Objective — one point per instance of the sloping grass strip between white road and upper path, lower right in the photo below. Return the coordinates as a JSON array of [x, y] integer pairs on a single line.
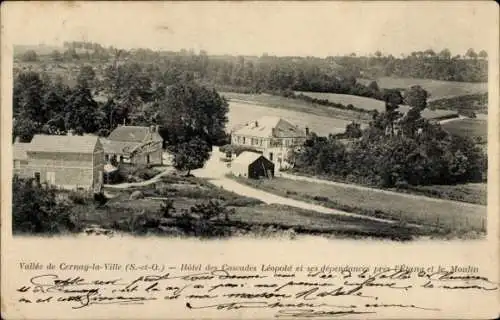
[[454, 216]]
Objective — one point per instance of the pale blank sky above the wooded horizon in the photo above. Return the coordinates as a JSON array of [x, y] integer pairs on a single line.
[[305, 28]]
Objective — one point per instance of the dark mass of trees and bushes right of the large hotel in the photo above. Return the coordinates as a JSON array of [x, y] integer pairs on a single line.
[[396, 150]]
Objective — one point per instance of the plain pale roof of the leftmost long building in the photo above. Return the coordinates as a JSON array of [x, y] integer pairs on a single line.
[[68, 144]]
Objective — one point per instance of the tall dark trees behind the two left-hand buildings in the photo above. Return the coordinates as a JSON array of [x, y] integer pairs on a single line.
[[191, 117]]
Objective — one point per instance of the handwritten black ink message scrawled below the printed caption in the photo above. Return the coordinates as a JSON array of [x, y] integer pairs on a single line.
[[285, 294]]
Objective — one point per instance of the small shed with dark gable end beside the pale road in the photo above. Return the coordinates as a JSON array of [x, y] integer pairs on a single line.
[[252, 165]]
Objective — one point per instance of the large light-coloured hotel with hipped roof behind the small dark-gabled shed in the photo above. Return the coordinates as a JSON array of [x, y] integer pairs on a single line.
[[273, 136]]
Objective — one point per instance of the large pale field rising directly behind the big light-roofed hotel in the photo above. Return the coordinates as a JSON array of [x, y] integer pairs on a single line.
[[320, 119]]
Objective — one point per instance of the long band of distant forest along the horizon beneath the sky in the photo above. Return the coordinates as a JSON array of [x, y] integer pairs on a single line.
[[271, 73]]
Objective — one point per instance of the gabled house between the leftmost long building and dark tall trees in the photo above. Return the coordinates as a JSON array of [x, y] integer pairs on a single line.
[[133, 144]]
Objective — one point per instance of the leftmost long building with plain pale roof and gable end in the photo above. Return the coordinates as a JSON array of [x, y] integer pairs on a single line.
[[67, 162]]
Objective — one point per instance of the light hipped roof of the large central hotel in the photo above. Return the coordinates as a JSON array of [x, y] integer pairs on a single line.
[[268, 126]]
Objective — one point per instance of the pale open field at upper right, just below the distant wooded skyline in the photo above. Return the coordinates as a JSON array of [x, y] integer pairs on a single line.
[[437, 89]]
